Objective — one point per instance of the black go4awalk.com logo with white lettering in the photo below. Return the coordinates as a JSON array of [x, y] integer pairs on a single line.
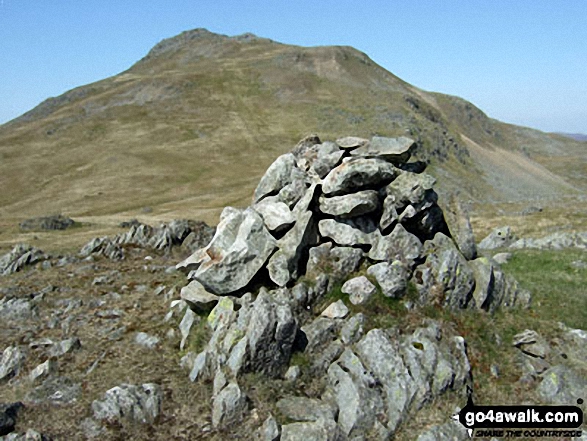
[[521, 421]]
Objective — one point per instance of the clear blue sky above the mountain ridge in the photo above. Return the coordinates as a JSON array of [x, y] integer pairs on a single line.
[[520, 61]]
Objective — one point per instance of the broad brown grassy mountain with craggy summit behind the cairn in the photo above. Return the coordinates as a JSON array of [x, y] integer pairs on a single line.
[[191, 127]]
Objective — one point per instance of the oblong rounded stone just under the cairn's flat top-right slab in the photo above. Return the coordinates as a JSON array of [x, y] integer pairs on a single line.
[[358, 174]]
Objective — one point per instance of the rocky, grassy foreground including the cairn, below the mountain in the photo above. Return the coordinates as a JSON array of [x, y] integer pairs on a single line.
[[345, 303]]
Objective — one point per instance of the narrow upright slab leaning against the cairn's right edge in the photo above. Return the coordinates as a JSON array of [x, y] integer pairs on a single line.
[[457, 219]]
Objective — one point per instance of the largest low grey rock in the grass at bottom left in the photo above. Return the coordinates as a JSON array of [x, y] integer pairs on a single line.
[[136, 404]]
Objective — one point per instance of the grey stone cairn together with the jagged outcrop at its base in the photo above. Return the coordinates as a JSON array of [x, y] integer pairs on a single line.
[[320, 214]]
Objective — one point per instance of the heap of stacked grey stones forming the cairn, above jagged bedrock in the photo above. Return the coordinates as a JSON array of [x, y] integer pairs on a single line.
[[354, 200]]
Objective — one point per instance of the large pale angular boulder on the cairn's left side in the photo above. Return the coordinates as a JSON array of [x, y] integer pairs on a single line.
[[239, 249]]
